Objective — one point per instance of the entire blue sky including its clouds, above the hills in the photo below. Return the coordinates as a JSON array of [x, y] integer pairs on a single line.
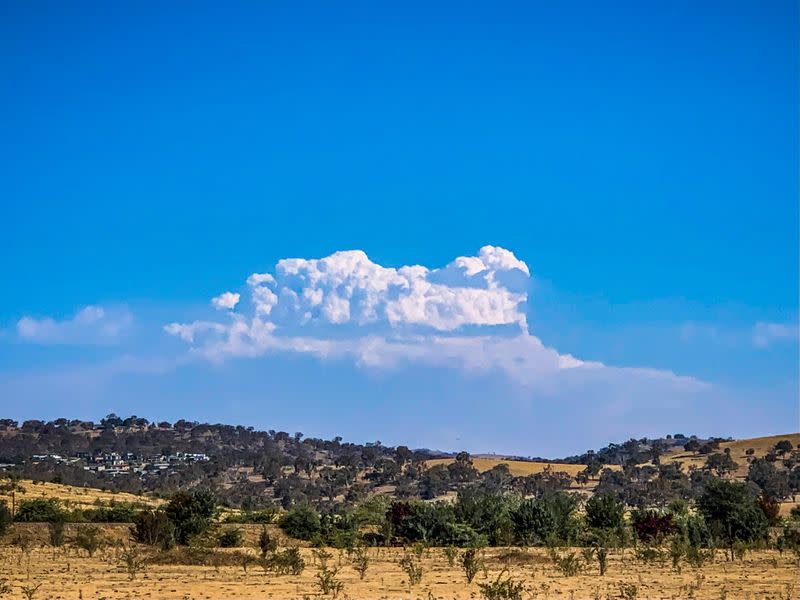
[[639, 159]]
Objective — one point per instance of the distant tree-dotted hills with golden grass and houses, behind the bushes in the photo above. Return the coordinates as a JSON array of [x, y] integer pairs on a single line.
[[250, 469]]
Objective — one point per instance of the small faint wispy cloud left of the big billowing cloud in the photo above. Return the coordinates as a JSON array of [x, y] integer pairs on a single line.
[[92, 325]]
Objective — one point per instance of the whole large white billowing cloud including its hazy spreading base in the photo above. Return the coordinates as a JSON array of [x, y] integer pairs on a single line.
[[469, 314]]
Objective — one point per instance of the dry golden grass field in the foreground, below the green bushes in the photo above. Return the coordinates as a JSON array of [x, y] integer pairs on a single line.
[[68, 574]]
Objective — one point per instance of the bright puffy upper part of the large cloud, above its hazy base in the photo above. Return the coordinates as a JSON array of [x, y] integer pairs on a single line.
[[348, 288]]
